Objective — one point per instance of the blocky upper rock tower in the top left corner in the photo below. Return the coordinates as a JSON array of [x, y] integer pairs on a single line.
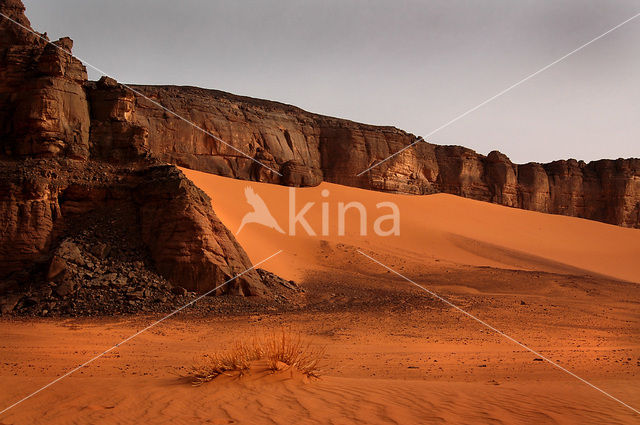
[[43, 105]]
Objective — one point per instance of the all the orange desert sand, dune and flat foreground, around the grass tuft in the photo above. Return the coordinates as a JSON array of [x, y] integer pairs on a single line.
[[566, 287]]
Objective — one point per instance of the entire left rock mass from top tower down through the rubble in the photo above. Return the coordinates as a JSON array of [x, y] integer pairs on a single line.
[[68, 188]]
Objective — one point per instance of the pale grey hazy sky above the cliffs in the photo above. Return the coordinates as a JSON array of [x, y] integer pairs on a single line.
[[411, 64]]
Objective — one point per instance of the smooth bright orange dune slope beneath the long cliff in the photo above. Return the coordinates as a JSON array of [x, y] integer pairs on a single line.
[[437, 229]]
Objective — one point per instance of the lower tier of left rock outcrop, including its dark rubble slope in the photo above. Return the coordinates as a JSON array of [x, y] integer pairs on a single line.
[[94, 238]]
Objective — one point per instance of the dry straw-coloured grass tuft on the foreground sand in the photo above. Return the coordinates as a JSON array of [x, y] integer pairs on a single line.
[[281, 351]]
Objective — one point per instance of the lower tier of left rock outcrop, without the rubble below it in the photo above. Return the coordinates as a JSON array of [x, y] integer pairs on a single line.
[[44, 201]]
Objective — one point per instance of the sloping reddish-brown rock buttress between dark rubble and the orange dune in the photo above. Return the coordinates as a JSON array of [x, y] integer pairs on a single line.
[[188, 243]]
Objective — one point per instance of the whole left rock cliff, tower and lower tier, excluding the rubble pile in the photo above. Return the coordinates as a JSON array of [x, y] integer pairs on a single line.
[[67, 157]]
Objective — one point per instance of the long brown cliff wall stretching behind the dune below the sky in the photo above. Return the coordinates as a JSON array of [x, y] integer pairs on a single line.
[[307, 148]]
